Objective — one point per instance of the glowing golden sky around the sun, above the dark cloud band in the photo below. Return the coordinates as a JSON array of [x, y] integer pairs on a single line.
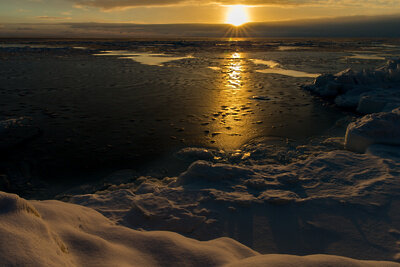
[[22, 15]]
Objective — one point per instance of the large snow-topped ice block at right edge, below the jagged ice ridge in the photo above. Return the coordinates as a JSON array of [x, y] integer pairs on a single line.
[[378, 128]]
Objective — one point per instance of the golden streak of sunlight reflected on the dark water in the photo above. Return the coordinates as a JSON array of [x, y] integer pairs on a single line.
[[234, 112]]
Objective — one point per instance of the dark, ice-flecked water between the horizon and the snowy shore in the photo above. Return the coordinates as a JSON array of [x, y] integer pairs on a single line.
[[98, 114]]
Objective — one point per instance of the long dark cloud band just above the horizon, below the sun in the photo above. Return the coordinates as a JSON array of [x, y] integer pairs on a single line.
[[357, 26]]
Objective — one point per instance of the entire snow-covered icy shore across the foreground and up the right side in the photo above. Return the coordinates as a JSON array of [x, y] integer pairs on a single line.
[[340, 196]]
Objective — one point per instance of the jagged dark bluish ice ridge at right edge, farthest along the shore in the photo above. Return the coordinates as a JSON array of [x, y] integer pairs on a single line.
[[368, 91]]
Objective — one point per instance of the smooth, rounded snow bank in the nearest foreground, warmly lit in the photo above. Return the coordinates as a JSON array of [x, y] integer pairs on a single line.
[[53, 233]]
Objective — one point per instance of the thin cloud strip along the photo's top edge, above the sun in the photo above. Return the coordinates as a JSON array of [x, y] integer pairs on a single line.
[[123, 4]]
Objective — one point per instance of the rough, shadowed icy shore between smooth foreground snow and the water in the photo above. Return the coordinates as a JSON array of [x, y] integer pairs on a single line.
[[273, 208]]
